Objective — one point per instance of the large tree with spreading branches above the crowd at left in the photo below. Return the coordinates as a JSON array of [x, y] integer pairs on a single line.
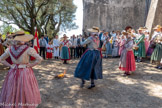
[[46, 15]]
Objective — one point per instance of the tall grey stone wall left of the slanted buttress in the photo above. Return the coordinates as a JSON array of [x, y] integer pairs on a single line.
[[114, 14]]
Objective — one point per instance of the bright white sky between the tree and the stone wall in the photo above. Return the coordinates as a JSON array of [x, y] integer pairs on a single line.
[[79, 20]]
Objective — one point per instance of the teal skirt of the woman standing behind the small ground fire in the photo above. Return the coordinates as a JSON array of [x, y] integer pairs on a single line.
[[65, 53]]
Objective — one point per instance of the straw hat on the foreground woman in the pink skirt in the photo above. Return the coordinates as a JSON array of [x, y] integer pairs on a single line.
[[21, 36]]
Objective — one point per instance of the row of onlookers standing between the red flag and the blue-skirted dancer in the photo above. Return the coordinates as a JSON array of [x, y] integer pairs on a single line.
[[63, 48]]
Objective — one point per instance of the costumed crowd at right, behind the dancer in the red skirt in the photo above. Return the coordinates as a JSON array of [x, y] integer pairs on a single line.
[[144, 45]]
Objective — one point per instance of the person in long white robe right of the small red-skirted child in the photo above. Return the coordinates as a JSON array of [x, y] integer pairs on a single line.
[[56, 44]]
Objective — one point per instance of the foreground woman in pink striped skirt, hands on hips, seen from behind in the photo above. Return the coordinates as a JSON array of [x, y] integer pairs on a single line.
[[20, 86]]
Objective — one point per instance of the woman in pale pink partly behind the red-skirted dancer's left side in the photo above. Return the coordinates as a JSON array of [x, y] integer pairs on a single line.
[[122, 42]]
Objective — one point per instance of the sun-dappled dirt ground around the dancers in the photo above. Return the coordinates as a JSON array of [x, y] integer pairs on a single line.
[[143, 89]]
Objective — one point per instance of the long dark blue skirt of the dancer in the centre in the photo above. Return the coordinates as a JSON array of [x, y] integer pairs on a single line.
[[90, 66]]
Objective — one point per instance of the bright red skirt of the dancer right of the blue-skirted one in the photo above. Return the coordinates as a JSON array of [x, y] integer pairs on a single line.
[[130, 62]]
